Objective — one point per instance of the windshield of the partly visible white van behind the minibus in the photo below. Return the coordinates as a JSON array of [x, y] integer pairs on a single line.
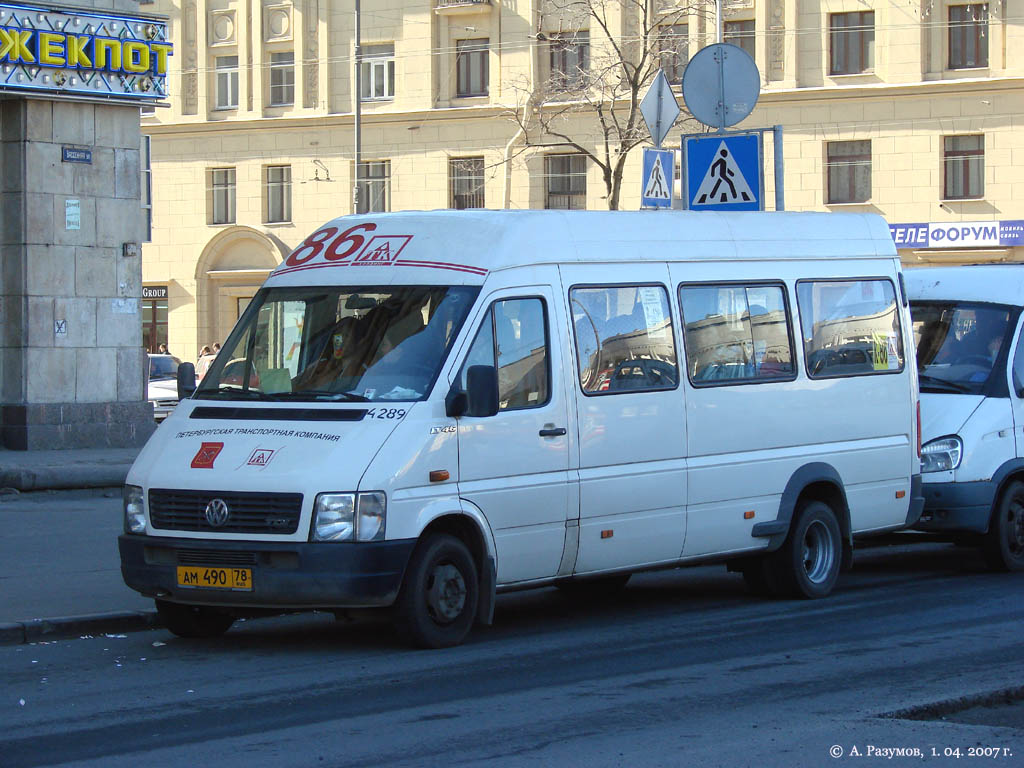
[[960, 345]]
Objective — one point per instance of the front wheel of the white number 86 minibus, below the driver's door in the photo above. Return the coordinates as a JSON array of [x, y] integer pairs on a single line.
[[437, 607]]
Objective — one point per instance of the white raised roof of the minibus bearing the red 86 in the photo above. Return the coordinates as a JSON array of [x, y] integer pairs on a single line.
[[462, 247]]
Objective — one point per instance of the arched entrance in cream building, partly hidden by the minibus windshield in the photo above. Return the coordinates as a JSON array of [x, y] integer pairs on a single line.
[[232, 269]]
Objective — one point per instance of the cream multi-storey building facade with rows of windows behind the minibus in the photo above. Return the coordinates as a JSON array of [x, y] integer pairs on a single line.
[[914, 111]]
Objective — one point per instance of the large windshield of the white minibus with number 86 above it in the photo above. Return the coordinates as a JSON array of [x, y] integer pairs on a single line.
[[371, 344]]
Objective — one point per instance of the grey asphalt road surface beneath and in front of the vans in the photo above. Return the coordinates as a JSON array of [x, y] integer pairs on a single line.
[[682, 668]]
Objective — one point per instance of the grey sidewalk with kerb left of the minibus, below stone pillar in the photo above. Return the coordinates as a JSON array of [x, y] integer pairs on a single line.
[[60, 571]]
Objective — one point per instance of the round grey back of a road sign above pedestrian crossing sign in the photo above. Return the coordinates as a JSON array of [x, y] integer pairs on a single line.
[[721, 86]]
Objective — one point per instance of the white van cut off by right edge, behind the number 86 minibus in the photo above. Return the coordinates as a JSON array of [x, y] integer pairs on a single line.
[[971, 360]]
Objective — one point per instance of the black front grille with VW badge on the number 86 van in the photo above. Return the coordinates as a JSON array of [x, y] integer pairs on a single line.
[[249, 513]]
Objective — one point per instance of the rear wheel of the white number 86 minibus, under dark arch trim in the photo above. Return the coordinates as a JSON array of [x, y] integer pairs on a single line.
[[808, 564]]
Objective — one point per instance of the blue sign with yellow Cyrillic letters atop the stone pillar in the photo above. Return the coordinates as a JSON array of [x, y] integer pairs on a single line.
[[83, 54]]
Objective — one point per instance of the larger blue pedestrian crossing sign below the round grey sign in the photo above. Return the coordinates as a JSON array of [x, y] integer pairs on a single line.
[[723, 173]]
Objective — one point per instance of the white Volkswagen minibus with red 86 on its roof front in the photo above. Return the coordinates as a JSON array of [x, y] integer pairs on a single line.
[[422, 410]]
